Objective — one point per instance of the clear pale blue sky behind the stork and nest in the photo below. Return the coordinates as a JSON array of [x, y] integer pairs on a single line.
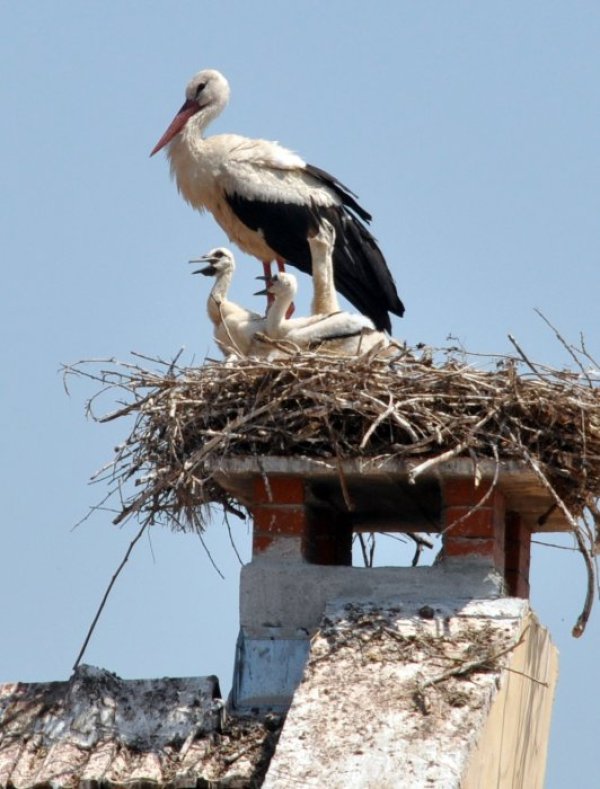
[[469, 130]]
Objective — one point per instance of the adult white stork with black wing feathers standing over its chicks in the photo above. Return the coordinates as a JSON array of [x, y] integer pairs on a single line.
[[269, 201]]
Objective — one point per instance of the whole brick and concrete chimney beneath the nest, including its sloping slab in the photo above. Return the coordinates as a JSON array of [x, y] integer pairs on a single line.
[[300, 593]]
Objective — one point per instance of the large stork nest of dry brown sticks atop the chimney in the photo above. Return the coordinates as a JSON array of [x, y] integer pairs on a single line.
[[422, 405]]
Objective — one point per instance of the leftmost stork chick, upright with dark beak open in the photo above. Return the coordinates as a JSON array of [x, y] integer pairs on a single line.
[[234, 326]]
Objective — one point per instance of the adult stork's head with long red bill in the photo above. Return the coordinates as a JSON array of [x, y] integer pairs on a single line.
[[206, 95]]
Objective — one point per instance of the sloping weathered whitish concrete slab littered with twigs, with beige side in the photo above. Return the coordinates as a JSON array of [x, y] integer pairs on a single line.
[[413, 702]]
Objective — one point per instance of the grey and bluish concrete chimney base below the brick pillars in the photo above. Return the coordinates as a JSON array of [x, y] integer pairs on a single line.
[[282, 606]]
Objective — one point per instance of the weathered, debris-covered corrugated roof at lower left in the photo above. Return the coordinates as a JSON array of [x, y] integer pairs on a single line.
[[97, 729]]
